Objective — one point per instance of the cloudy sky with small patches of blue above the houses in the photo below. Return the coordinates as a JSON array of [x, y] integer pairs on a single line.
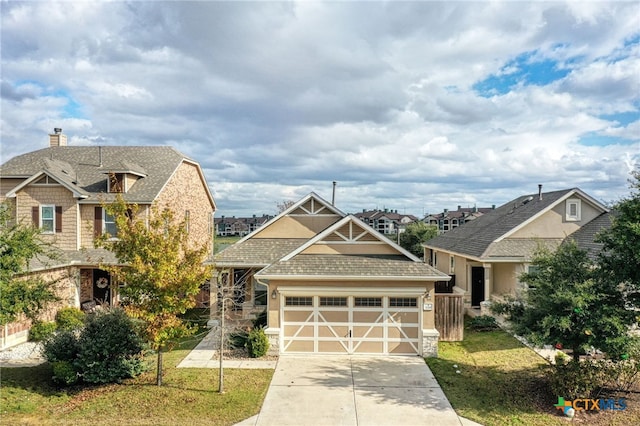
[[414, 106]]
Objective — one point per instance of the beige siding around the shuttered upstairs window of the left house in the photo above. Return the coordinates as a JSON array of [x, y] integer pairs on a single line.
[[57, 195]]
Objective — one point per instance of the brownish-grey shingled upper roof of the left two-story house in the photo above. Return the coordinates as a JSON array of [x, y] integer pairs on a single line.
[[84, 169]]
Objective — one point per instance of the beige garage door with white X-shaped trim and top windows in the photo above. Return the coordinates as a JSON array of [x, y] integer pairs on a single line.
[[329, 324]]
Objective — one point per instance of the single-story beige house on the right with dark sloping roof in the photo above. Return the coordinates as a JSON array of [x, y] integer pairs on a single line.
[[486, 256]]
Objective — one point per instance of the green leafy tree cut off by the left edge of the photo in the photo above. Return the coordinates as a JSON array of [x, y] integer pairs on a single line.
[[19, 293]]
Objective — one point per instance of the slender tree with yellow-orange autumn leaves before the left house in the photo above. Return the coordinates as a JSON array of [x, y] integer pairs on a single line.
[[160, 270]]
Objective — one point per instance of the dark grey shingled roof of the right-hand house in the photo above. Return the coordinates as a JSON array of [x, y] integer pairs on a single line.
[[480, 238]]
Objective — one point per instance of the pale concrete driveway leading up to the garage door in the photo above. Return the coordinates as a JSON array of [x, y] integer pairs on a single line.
[[344, 390]]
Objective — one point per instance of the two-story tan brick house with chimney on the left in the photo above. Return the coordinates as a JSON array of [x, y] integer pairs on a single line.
[[61, 189]]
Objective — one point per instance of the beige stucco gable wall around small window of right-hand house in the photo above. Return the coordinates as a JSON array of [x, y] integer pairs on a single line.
[[553, 224]]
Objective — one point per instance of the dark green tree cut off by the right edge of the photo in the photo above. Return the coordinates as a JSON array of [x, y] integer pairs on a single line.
[[620, 258]]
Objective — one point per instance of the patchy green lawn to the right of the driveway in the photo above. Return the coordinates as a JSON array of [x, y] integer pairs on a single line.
[[502, 382]]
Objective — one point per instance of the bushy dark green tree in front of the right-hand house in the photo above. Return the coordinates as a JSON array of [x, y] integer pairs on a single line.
[[567, 306]]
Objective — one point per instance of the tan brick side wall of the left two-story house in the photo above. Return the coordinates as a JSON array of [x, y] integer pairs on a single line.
[[184, 192]]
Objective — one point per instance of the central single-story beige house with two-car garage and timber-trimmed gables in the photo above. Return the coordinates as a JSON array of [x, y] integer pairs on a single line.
[[331, 284]]
